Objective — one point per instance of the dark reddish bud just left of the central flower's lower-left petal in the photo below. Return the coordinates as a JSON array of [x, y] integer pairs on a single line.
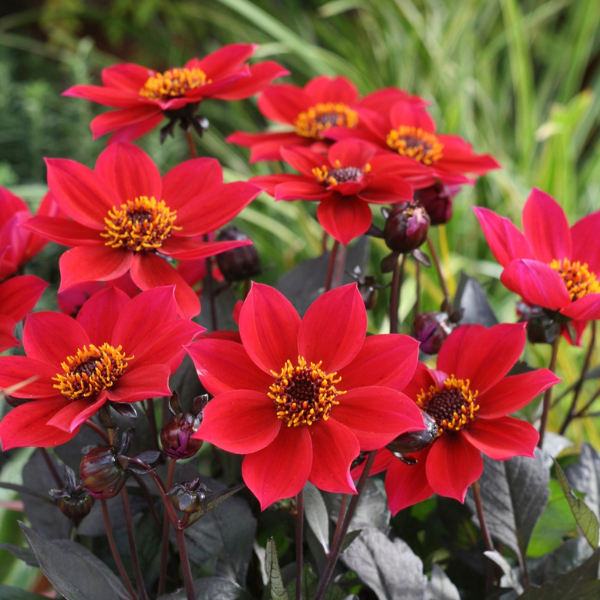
[[176, 435]]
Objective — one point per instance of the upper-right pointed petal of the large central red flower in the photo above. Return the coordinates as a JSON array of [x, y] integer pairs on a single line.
[[333, 329]]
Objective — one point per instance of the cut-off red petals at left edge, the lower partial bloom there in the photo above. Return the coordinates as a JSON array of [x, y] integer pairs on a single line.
[[18, 296]]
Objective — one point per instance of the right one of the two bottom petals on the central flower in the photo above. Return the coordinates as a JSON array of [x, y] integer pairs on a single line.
[[334, 449]]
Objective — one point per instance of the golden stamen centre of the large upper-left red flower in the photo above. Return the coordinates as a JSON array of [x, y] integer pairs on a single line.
[[140, 225]]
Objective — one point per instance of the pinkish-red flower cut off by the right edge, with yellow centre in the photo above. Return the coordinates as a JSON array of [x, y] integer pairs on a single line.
[[549, 265]]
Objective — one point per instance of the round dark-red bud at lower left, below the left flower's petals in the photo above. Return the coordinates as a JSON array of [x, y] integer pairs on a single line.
[[102, 473]]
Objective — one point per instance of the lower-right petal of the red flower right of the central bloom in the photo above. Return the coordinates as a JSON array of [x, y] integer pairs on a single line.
[[503, 438]]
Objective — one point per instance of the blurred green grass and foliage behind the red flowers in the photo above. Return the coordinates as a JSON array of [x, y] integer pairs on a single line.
[[518, 79]]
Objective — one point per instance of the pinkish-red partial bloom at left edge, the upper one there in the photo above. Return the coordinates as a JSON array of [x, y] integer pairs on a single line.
[[17, 245]]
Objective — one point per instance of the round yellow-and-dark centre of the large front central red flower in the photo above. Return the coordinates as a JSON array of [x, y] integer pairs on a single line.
[[304, 393]]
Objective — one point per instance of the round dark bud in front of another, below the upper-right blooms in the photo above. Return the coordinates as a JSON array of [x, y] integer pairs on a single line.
[[406, 227]]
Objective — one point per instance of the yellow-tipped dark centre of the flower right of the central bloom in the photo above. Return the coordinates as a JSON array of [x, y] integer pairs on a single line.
[[452, 407]]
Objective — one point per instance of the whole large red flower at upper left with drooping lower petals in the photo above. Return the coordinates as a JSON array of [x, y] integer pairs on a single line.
[[124, 217]]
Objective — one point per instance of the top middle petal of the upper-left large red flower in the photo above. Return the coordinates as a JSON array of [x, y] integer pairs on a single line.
[[130, 172]]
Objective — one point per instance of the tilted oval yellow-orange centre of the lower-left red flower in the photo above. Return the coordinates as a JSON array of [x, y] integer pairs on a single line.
[[90, 371]]
